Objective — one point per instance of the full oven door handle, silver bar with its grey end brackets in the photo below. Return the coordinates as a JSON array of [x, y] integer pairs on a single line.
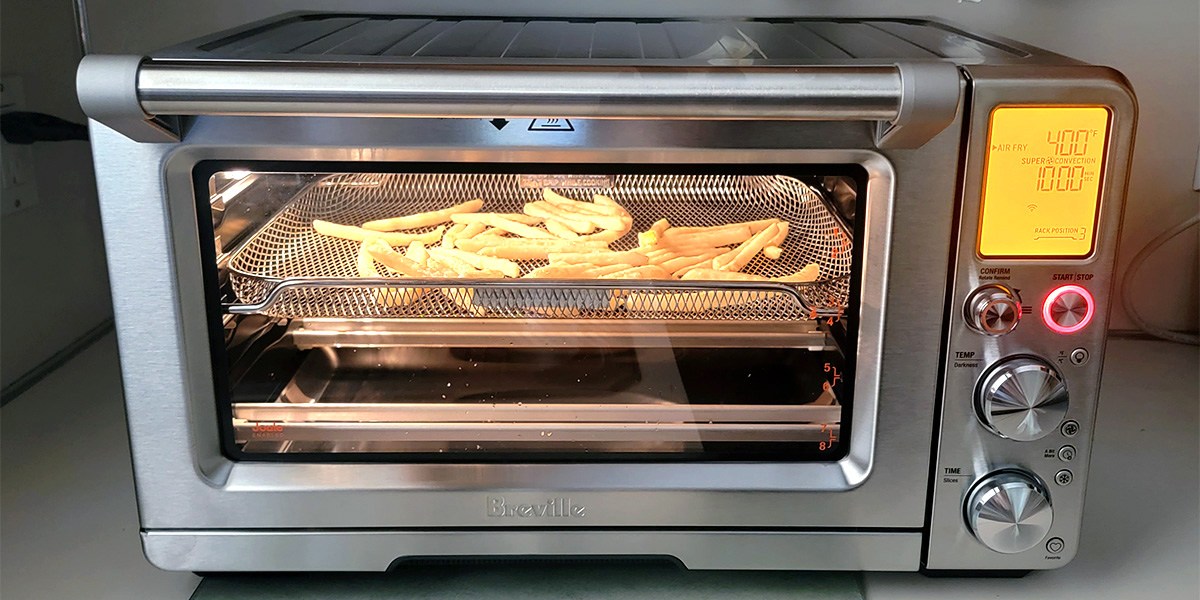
[[911, 101]]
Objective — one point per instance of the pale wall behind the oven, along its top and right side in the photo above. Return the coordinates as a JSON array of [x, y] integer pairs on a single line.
[[1154, 43]]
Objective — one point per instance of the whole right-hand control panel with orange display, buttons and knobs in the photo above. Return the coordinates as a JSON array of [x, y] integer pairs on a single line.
[[1025, 329]]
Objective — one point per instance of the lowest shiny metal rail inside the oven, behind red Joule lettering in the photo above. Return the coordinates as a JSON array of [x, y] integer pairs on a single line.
[[416, 423]]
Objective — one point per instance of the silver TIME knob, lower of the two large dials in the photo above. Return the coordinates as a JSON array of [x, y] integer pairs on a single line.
[[1010, 512]]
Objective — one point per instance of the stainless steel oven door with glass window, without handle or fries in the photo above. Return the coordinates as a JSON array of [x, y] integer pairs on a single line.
[[280, 397]]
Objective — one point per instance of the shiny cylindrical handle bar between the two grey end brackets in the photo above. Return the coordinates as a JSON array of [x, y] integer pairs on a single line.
[[178, 88]]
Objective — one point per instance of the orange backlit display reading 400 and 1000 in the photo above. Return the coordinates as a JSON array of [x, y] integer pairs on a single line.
[[1042, 182]]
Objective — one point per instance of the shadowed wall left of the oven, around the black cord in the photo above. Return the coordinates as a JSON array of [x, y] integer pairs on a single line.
[[55, 284]]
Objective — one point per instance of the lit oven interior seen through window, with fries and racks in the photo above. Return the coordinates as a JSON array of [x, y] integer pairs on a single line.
[[328, 347]]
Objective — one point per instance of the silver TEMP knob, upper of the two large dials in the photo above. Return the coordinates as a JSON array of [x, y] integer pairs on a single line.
[[1022, 399]]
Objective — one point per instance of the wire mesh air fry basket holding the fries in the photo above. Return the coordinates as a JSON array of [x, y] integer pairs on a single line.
[[289, 271]]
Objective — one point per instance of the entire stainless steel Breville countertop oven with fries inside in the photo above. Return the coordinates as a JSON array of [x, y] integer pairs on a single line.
[[745, 295]]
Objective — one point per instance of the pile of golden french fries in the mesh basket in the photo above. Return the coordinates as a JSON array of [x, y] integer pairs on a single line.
[[571, 237]]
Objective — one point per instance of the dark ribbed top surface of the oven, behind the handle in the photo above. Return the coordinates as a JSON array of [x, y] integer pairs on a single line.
[[641, 43]]
